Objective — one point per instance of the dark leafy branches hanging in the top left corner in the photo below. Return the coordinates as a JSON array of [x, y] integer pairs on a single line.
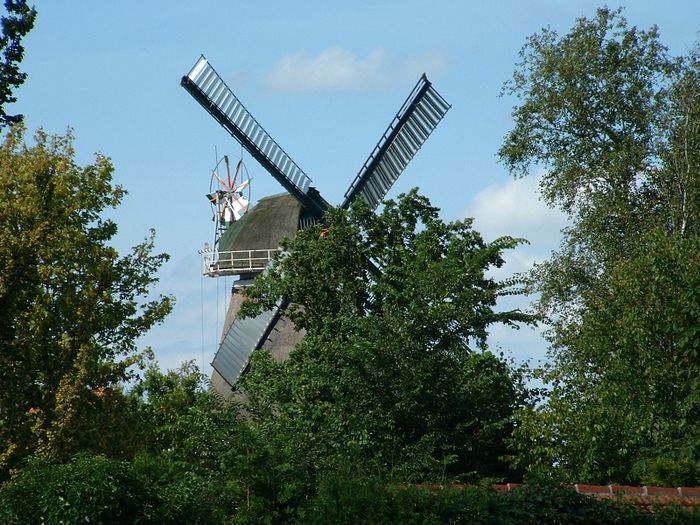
[[14, 25]]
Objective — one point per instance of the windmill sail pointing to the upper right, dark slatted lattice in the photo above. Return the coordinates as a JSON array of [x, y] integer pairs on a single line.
[[420, 114]]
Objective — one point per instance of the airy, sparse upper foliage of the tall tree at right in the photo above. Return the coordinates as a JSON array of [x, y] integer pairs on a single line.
[[613, 120]]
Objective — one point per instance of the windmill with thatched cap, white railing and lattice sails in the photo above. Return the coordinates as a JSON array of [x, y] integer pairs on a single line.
[[245, 248]]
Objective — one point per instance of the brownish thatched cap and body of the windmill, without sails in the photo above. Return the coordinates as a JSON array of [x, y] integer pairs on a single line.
[[262, 228]]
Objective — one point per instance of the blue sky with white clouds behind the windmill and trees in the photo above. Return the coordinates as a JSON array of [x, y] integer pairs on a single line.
[[325, 79]]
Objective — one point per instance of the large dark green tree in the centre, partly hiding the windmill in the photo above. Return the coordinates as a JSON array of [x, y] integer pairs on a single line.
[[391, 376]]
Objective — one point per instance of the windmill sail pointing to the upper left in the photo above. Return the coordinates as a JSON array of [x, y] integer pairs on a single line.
[[209, 89]]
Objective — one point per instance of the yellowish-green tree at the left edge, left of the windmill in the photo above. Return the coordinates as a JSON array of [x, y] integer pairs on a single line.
[[71, 308]]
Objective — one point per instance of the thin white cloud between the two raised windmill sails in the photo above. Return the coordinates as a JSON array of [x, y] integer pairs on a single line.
[[339, 68]]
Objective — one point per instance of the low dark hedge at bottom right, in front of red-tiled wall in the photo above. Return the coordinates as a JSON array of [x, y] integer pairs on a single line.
[[351, 500]]
